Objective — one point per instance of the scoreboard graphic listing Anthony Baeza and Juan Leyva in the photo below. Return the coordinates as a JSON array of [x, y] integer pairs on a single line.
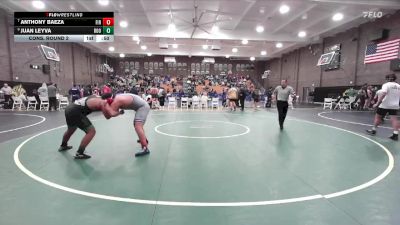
[[63, 26]]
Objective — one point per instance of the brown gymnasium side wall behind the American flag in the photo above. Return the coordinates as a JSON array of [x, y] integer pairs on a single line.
[[299, 66]]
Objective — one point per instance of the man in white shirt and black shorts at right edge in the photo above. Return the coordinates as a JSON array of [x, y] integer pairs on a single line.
[[388, 103]]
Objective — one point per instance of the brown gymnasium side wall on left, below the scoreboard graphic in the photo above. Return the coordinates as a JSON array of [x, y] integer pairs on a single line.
[[77, 64]]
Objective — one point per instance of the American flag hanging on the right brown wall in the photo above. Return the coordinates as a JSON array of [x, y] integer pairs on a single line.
[[382, 52]]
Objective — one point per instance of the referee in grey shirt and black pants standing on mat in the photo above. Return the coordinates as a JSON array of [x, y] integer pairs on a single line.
[[282, 93]]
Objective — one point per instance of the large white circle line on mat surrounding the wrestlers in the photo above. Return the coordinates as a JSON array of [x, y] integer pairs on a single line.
[[210, 204]]
